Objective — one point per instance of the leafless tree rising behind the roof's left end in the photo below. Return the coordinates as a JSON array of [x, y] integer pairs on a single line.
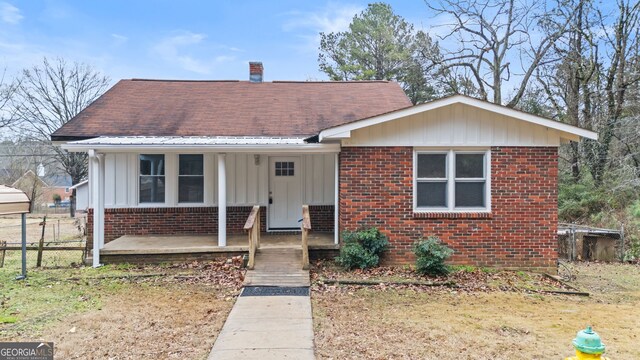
[[51, 94]]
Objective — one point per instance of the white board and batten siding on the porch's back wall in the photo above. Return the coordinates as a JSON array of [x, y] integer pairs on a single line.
[[247, 182]]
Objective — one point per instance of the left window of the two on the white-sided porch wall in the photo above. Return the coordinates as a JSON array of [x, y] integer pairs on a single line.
[[151, 178]]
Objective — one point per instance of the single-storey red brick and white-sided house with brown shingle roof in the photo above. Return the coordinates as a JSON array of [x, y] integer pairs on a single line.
[[171, 158]]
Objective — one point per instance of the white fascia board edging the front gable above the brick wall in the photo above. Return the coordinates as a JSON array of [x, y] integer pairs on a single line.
[[569, 131]]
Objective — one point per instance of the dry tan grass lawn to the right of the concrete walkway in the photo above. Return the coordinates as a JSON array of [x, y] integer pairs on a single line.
[[445, 324]]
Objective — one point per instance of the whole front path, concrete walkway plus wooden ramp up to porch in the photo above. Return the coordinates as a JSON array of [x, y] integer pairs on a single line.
[[275, 326]]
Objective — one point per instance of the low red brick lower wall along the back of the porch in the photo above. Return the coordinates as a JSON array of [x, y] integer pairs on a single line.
[[189, 220]]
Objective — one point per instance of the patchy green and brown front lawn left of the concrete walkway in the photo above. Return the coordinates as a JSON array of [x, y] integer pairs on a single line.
[[121, 312]]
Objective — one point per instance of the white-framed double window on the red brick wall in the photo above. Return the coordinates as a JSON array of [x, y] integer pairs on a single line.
[[451, 181]]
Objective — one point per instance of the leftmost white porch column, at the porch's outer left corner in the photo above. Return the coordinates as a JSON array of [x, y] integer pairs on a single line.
[[97, 202]]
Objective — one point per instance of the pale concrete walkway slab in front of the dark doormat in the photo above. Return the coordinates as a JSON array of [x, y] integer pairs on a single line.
[[267, 327]]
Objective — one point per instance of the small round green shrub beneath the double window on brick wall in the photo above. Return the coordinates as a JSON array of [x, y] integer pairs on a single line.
[[431, 254]]
